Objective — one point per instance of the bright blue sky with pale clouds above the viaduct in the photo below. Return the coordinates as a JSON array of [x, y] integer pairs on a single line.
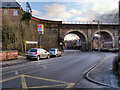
[[79, 10]]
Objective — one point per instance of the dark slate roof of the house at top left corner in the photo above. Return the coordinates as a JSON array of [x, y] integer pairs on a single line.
[[11, 5]]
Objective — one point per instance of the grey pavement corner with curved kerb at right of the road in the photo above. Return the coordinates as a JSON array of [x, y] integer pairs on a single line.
[[102, 74]]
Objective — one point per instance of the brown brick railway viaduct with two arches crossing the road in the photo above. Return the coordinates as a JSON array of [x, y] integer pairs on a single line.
[[109, 34]]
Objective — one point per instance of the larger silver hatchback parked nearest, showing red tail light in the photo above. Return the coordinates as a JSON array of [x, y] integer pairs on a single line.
[[37, 53]]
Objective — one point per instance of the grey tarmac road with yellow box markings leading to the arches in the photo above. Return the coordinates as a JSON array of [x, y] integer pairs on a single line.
[[60, 72]]
